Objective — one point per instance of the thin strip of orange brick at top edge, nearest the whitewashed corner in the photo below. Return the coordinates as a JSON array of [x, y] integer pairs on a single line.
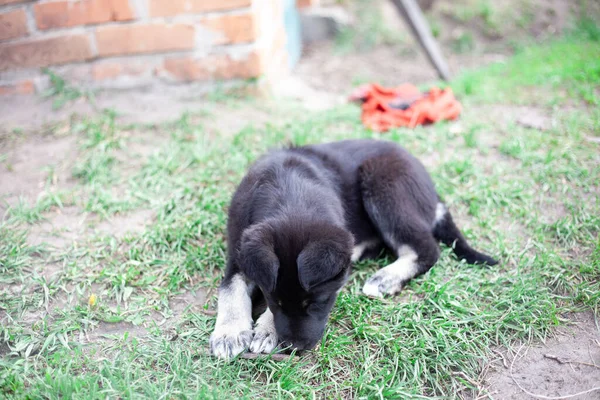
[[167, 8]]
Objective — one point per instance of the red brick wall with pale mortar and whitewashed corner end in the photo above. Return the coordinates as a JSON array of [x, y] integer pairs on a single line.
[[124, 43]]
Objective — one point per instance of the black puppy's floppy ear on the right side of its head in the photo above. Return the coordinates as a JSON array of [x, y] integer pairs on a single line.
[[324, 260]]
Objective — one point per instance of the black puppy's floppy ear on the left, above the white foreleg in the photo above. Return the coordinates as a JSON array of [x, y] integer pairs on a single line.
[[257, 256]]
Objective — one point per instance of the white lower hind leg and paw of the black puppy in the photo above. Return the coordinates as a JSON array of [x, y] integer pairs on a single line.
[[391, 279]]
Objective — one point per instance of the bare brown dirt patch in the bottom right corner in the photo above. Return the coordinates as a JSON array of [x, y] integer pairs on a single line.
[[567, 364]]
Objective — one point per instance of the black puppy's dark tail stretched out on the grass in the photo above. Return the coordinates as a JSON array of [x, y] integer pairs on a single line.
[[448, 233]]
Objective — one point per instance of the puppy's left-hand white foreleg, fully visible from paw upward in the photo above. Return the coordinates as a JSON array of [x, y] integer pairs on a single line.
[[233, 329]]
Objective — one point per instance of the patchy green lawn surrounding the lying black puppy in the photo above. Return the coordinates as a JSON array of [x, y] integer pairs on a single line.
[[531, 199]]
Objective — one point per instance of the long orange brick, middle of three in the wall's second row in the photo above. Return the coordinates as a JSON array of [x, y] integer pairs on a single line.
[[148, 38]]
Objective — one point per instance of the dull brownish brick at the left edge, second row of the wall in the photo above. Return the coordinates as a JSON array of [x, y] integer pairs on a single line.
[[41, 53]]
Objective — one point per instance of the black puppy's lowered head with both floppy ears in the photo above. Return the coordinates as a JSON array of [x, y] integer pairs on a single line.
[[300, 268]]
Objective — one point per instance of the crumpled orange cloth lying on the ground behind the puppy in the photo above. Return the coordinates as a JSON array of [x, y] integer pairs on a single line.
[[381, 106]]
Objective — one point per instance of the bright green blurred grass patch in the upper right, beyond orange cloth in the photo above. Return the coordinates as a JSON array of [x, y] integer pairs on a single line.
[[547, 74]]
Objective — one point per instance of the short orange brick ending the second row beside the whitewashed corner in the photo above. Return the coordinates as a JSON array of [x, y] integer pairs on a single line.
[[231, 28]]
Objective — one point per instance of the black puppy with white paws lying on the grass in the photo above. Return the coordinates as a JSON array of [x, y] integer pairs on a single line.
[[298, 220]]
